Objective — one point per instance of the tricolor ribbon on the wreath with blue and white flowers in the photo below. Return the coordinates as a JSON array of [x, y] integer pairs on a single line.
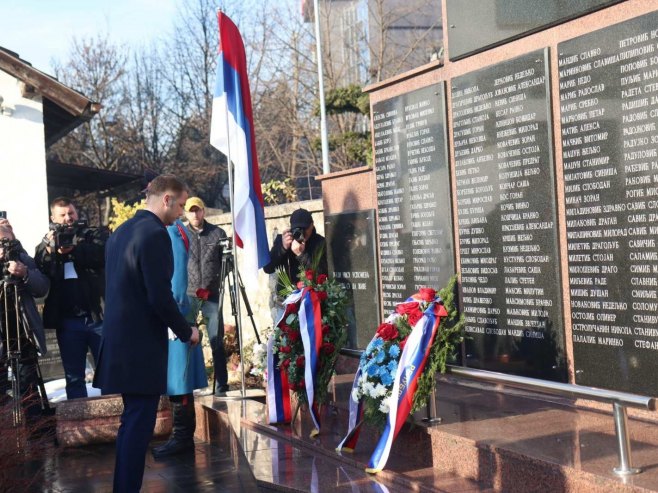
[[410, 367]]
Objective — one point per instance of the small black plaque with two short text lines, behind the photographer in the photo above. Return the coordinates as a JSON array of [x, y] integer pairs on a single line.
[[352, 256]]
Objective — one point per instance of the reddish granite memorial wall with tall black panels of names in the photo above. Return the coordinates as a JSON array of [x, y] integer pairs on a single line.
[[557, 252]]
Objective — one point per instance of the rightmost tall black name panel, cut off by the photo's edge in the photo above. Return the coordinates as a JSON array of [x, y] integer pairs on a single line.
[[609, 116]]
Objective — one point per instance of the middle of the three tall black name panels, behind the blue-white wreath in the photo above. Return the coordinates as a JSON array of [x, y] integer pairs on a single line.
[[507, 218]]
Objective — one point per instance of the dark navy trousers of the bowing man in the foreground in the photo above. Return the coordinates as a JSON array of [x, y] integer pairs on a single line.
[[135, 433]]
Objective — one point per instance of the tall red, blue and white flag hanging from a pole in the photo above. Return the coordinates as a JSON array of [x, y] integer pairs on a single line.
[[232, 133]]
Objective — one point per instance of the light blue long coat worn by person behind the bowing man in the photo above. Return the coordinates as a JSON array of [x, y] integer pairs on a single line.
[[186, 370]]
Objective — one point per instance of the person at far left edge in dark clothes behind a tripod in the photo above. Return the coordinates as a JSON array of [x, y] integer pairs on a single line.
[[20, 275]]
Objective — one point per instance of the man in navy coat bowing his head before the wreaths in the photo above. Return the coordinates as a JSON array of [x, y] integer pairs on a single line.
[[138, 309]]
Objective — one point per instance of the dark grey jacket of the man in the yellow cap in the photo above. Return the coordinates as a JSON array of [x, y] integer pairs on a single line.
[[205, 260]]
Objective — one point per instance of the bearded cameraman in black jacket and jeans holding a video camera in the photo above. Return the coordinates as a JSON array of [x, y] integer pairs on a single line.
[[74, 306]]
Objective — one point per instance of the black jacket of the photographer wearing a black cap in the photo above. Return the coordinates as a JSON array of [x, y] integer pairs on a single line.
[[291, 263]]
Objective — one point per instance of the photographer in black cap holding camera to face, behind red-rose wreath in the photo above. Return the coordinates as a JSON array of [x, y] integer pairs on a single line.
[[296, 248]]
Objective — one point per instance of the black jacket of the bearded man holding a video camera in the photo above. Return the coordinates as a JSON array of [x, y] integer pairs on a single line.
[[88, 257]]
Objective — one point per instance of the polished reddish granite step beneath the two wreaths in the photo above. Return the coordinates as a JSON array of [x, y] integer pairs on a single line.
[[284, 458]]
